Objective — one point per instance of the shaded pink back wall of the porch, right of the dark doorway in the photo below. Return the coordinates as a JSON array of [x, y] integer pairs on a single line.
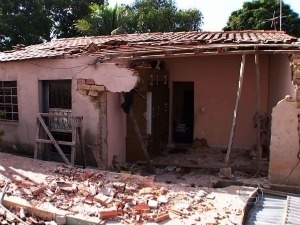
[[215, 87]]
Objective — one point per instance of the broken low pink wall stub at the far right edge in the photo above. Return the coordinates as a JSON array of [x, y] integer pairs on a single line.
[[284, 147]]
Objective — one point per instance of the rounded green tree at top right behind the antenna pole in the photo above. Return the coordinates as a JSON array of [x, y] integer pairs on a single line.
[[264, 15]]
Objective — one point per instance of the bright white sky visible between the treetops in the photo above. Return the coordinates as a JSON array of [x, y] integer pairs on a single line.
[[215, 12]]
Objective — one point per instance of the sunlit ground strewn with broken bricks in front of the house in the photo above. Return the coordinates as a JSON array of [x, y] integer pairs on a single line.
[[174, 195]]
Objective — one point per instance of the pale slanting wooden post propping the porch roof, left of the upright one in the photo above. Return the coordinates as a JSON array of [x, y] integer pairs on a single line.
[[242, 69]]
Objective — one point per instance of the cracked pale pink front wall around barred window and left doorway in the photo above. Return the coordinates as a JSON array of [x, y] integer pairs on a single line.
[[29, 73]]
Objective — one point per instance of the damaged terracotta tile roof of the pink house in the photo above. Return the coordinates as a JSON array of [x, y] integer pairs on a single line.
[[142, 44]]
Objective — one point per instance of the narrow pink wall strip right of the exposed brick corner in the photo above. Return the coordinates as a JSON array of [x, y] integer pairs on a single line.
[[116, 127]]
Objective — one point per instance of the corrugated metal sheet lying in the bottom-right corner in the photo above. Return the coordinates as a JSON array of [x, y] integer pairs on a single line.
[[273, 210]]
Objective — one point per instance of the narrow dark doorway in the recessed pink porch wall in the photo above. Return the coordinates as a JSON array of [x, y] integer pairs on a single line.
[[183, 112]]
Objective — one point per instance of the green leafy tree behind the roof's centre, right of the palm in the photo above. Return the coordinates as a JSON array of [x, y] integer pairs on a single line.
[[163, 16]]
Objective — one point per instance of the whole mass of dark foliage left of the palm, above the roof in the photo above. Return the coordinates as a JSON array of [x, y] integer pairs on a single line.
[[35, 21]]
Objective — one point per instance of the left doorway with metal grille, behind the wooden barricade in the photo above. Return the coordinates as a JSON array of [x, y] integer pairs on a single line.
[[56, 99]]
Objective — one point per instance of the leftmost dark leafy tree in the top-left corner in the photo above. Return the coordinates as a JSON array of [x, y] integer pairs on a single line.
[[23, 22]]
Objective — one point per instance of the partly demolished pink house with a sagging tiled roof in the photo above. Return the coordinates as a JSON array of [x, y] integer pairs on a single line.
[[70, 99]]
